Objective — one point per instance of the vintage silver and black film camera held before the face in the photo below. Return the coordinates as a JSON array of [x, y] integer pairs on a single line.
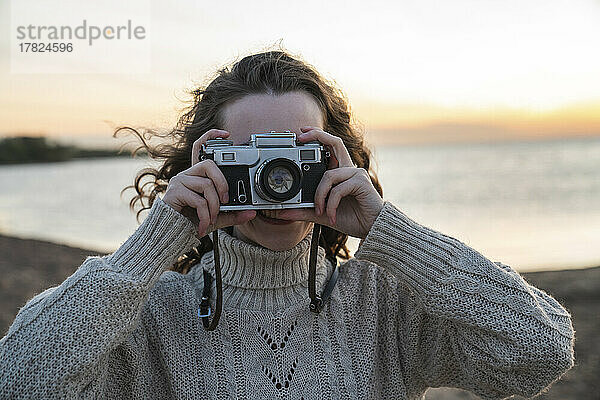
[[272, 171]]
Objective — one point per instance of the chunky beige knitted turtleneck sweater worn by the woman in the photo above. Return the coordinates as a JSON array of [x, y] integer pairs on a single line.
[[414, 309]]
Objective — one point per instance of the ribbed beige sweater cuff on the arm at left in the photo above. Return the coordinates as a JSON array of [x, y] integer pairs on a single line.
[[156, 244]]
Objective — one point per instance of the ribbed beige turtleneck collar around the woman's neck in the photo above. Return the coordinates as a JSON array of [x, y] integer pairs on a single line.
[[250, 272]]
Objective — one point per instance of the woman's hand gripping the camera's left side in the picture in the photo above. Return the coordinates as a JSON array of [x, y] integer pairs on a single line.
[[198, 192]]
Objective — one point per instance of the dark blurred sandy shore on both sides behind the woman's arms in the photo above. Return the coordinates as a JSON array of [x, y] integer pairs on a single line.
[[27, 267]]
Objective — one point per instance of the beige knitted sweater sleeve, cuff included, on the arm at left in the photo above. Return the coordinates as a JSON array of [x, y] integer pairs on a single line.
[[61, 340]]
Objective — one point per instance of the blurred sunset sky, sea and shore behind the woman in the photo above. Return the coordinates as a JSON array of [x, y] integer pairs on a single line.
[[483, 116]]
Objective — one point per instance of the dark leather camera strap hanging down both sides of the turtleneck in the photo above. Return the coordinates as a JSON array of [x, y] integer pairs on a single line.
[[316, 302]]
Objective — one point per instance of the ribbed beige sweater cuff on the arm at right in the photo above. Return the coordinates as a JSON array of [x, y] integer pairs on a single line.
[[420, 255]]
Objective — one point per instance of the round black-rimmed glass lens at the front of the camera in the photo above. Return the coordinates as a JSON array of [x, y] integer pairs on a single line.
[[278, 180]]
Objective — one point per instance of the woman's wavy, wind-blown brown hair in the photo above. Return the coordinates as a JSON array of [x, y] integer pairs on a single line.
[[273, 72]]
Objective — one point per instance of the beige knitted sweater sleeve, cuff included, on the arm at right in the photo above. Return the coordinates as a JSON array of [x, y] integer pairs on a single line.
[[471, 323]]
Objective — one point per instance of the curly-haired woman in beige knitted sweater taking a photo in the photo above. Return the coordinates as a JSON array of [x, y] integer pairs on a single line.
[[413, 309]]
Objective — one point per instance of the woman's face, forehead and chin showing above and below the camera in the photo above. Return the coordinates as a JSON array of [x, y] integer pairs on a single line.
[[260, 113]]
